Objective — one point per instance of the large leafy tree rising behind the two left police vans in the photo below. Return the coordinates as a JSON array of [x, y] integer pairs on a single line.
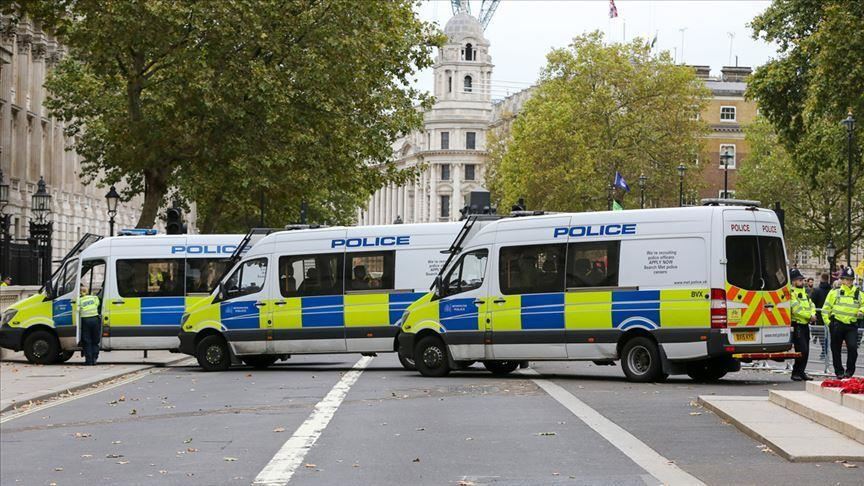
[[216, 102]]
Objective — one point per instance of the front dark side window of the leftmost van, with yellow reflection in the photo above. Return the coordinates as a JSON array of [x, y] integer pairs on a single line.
[[151, 278]]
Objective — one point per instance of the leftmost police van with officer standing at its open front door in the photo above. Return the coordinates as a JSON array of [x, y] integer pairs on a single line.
[[144, 283]]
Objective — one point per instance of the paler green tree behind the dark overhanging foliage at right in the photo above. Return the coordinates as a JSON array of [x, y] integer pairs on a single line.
[[815, 208]]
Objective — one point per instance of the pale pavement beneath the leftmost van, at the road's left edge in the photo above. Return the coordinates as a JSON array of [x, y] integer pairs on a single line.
[[22, 383]]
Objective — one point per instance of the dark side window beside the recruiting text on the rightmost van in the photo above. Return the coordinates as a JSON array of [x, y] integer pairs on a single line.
[[592, 264]]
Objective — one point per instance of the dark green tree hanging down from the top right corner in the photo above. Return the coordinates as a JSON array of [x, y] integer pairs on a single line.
[[804, 93]]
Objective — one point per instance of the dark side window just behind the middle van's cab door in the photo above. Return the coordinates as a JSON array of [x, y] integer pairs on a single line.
[[308, 275]]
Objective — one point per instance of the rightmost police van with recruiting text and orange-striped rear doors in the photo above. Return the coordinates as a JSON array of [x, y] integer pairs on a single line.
[[665, 291]]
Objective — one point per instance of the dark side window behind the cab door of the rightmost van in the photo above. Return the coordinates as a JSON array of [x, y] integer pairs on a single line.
[[532, 269]]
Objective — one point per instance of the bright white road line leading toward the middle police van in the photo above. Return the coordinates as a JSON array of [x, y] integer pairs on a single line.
[[283, 465]]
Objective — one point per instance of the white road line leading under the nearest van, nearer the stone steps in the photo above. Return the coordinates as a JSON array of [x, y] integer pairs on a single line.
[[647, 458]]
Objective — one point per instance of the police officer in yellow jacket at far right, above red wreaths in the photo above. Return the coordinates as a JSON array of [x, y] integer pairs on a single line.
[[843, 307]]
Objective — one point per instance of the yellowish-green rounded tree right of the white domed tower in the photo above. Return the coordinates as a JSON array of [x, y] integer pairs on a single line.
[[599, 109]]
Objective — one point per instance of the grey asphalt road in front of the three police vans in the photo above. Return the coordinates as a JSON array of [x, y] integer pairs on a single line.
[[555, 423]]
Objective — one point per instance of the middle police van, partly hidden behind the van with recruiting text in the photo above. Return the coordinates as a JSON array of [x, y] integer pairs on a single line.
[[324, 290]]
